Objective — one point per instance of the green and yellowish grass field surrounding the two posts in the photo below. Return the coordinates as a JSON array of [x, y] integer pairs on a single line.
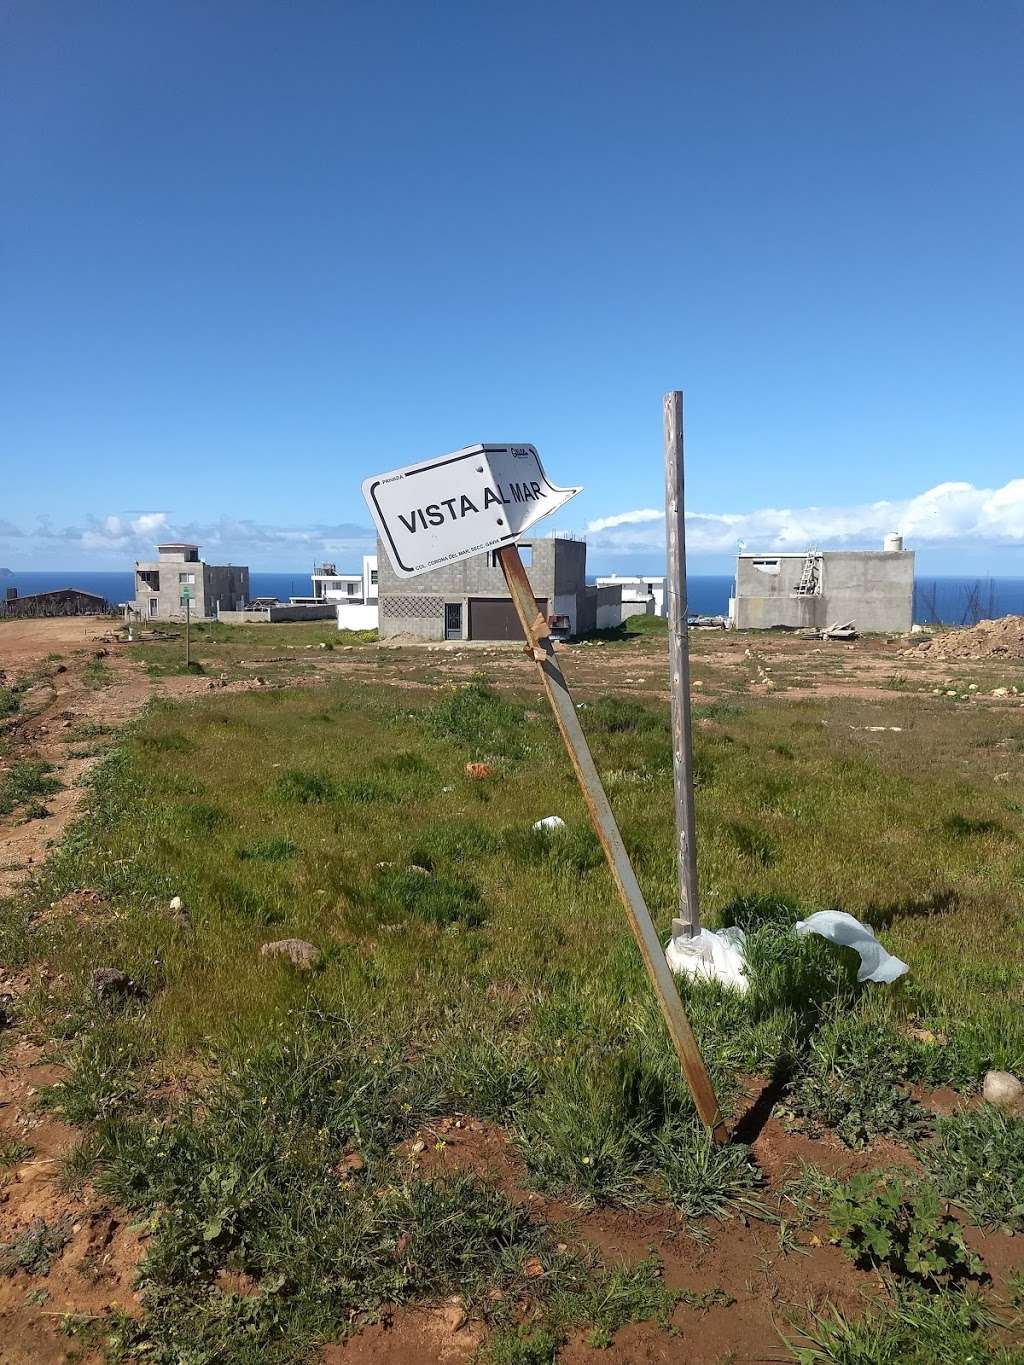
[[472, 966]]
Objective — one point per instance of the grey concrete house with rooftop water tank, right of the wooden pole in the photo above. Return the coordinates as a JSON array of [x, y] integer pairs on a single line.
[[874, 589]]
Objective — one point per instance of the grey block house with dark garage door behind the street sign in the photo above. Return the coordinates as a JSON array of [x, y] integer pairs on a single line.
[[469, 601]]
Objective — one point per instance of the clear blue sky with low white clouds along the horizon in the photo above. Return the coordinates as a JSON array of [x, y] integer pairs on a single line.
[[255, 252]]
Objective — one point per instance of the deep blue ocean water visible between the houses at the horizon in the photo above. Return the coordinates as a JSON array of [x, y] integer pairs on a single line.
[[950, 600]]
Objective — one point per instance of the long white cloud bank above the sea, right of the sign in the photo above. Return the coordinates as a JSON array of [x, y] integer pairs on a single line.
[[952, 515]]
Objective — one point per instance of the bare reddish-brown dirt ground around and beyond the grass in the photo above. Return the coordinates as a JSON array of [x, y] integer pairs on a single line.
[[95, 1269]]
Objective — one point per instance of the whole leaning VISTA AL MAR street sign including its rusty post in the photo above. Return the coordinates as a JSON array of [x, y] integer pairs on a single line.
[[484, 499]]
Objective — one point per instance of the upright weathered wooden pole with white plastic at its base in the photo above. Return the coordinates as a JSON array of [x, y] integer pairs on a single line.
[[679, 667]]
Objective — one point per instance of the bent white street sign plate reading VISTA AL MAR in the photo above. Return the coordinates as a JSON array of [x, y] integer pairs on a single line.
[[461, 504]]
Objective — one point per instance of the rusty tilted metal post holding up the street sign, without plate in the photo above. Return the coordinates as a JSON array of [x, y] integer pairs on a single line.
[[543, 650]]
